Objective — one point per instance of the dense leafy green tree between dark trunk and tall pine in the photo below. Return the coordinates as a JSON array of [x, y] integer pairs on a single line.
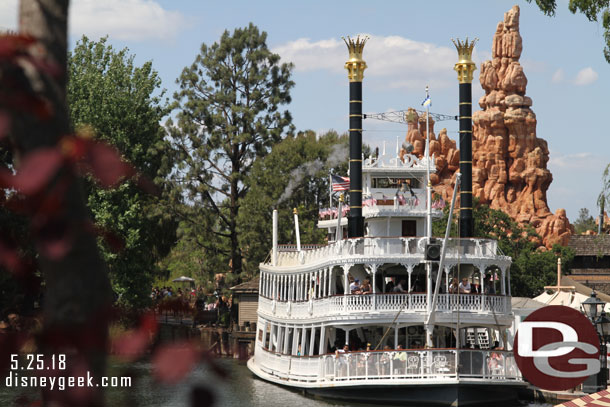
[[122, 104]]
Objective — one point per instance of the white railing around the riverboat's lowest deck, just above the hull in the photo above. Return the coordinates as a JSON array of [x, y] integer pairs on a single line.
[[396, 365]]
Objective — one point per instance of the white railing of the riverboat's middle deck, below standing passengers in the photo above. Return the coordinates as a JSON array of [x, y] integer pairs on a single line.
[[342, 305]]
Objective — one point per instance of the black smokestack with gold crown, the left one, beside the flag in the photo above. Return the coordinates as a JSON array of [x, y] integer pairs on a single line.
[[355, 68]]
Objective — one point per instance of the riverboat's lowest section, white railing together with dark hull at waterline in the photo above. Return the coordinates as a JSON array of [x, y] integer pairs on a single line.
[[431, 377]]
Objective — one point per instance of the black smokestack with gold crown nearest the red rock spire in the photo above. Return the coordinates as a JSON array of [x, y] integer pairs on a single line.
[[465, 68]]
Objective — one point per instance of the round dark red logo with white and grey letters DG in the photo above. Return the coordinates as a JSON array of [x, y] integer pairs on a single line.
[[557, 348]]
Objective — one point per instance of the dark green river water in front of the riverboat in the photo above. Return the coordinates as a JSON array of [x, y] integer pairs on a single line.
[[239, 389]]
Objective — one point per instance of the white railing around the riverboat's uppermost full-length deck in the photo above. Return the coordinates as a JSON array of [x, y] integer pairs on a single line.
[[383, 247]]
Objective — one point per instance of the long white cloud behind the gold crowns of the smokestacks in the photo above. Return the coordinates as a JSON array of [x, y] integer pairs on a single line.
[[393, 61]]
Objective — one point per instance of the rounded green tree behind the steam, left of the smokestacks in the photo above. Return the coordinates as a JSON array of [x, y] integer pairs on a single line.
[[293, 175]]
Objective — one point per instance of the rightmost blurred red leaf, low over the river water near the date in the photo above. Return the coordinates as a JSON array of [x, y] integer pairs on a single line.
[[171, 363]]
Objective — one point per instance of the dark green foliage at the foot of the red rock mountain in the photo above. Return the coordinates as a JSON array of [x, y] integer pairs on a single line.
[[533, 267]]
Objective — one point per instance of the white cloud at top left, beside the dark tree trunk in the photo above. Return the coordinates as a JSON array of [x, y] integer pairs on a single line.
[[130, 20]]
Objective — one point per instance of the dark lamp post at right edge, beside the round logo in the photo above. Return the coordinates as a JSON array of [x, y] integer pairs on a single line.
[[593, 308]]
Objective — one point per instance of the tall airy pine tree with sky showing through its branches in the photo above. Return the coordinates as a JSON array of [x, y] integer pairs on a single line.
[[229, 116]]
